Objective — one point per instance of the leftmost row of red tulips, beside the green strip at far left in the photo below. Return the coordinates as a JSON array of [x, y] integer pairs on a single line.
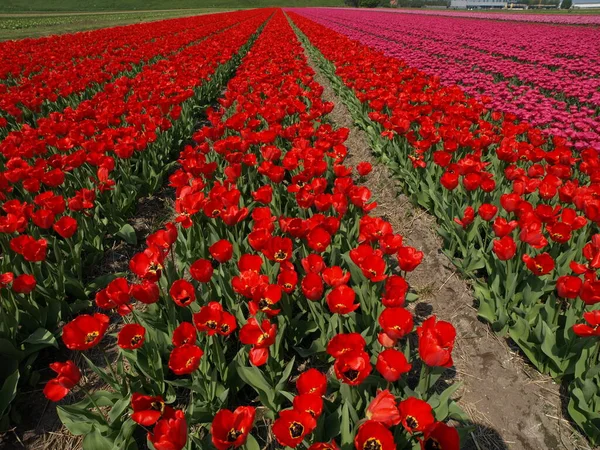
[[81, 70]]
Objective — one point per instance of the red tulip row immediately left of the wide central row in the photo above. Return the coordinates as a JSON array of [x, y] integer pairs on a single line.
[[74, 184]]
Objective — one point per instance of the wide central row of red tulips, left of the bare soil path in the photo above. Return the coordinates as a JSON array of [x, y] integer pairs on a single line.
[[271, 296]]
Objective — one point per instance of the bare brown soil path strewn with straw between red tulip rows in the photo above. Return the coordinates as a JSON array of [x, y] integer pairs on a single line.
[[510, 404]]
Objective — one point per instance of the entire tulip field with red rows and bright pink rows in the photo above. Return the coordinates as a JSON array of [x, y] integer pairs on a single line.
[[272, 307]]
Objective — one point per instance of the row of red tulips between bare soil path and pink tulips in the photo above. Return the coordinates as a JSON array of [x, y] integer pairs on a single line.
[[518, 211]]
